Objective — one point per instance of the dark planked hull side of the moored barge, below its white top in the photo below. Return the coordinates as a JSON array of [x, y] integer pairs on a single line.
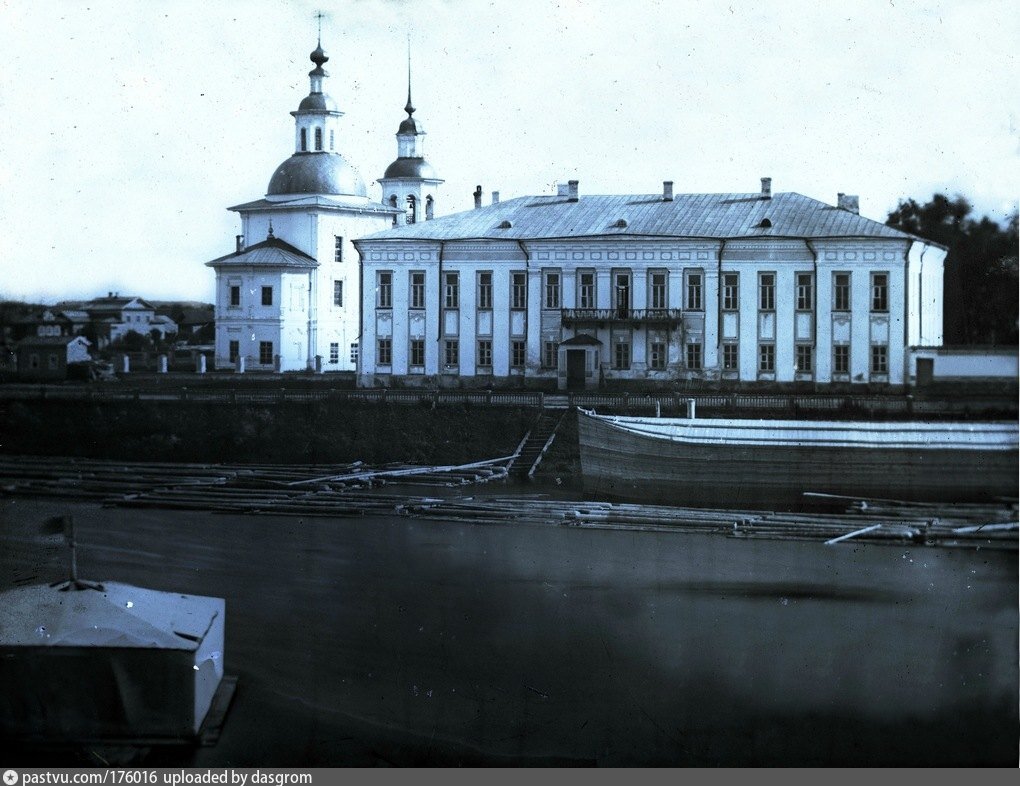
[[622, 463]]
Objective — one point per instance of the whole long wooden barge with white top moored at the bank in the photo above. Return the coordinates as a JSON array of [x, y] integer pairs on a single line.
[[774, 463]]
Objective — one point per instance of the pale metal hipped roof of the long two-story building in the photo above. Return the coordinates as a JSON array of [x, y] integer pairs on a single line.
[[716, 217]]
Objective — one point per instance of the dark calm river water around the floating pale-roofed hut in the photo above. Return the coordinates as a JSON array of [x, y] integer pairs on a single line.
[[381, 640]]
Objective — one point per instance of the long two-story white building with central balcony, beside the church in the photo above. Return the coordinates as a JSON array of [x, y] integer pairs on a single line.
[[575, 292]]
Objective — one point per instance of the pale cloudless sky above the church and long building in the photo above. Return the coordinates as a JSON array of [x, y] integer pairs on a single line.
[[128, 128]]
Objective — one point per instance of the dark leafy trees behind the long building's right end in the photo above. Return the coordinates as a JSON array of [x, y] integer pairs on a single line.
[[981, 287]]
